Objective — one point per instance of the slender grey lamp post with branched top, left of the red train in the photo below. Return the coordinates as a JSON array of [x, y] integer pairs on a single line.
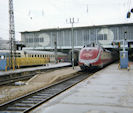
[[72, 21]]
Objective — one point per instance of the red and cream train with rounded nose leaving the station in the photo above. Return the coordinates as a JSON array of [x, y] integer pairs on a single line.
[[95, 56]]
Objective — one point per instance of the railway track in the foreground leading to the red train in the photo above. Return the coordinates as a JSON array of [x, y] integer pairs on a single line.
[[28, 102]]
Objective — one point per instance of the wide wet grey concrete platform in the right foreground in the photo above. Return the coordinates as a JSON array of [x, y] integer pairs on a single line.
[[107, 91]]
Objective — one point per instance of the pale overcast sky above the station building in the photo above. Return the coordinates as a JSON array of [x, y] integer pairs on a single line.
[[39, 14]]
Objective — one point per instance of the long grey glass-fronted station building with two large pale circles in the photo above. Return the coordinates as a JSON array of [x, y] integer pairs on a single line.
[[45, 39]]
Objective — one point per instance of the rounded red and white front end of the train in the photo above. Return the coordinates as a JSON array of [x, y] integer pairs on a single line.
[[89, 57]]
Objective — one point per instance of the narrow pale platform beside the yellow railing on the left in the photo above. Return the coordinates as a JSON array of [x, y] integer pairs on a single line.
[[29, 69]]
